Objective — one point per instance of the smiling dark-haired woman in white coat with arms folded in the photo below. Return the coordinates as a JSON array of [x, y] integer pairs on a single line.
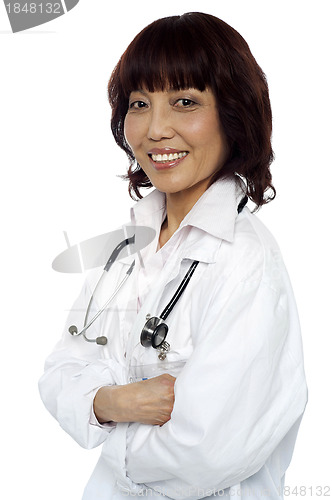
[[215, 411]]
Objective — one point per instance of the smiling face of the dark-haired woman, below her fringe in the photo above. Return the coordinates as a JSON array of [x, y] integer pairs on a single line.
[[176, 138]]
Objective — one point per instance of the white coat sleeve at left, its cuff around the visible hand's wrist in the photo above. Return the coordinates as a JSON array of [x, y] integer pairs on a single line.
[[73, 374]]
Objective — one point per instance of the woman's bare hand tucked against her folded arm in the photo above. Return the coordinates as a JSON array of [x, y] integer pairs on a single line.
[[148, 402]]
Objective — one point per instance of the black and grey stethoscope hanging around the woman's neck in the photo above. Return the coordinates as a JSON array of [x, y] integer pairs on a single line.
[[155, 330]]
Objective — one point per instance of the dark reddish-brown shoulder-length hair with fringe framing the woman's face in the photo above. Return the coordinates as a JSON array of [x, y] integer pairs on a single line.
[[200, 51]]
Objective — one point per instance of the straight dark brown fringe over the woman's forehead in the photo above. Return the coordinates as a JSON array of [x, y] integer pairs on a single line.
[[169, 57]]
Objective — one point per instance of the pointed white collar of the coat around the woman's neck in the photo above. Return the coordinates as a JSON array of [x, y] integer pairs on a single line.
[[214, 212]]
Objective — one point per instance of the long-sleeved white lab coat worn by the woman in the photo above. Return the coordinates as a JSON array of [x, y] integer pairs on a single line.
[[235, 348]]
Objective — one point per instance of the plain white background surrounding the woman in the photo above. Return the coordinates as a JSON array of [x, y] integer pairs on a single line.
[[58, 172]]
